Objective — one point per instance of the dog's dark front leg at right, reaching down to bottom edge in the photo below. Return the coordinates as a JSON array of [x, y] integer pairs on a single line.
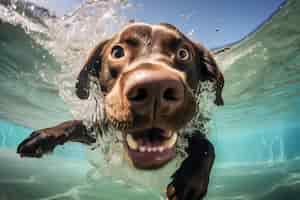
[[191, 180]]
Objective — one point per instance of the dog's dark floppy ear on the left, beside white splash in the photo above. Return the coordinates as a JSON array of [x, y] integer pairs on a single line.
[[92, 67]]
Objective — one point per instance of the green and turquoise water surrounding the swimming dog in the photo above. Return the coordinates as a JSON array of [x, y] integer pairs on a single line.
[[256, 133]]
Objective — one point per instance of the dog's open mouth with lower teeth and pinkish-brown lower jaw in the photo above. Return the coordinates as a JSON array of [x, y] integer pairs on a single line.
[[151, 148]]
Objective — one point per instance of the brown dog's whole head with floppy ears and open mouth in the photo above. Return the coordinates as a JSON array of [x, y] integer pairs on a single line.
[[148, 75]]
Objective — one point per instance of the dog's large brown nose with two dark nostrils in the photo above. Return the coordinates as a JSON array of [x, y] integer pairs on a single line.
[[156, 92]]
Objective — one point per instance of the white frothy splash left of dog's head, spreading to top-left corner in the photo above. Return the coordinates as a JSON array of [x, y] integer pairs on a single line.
[[69, 38]]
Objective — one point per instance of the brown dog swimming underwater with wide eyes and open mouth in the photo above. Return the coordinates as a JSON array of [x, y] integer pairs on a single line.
[[149, 75]]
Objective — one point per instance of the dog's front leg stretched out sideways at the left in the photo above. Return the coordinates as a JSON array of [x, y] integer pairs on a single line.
[[45, 140]]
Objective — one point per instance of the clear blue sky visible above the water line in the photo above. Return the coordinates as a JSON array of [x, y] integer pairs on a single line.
[[214, 23]]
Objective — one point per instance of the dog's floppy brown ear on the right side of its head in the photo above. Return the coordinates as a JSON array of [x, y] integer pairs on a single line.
[[209, 70]]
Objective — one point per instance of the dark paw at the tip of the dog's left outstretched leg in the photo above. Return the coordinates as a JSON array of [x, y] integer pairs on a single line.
[[38, 144]]
